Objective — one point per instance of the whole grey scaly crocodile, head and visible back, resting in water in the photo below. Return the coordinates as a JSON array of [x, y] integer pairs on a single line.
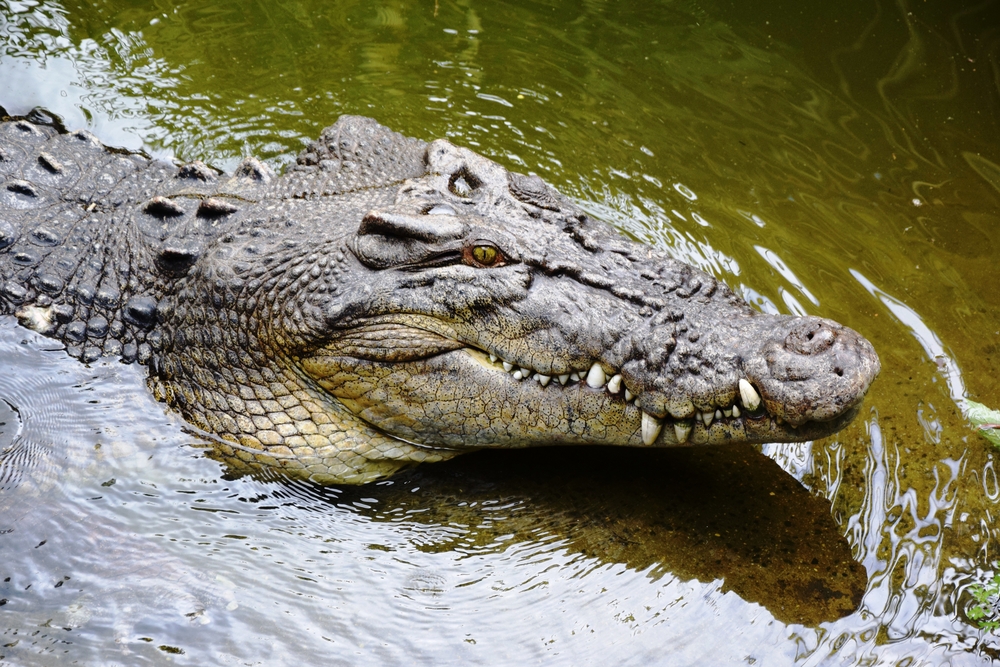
[[389, 301]]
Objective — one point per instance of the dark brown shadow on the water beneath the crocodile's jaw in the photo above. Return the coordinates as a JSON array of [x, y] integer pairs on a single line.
[[725, 513]]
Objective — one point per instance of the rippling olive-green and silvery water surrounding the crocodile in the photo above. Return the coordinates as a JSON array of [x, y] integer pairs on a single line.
[[841, 161]]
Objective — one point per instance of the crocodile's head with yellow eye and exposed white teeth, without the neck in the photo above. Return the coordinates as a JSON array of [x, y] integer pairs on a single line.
[[492, 312]]
